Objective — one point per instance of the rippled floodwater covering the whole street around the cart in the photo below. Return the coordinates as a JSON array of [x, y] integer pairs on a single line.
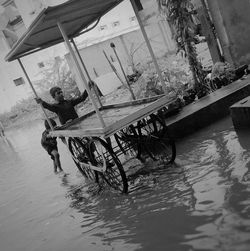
[[200, 203]]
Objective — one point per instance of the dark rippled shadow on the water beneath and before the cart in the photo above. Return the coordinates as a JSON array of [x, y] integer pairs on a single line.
[[157, 216]]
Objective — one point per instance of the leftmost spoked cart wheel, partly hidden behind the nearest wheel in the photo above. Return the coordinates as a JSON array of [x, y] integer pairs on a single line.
[[80, 156]]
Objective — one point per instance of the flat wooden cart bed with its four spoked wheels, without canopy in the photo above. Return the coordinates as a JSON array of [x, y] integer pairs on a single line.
[[134, 129]]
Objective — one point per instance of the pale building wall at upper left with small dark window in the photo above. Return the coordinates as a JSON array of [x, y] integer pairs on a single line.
[[10, 94]]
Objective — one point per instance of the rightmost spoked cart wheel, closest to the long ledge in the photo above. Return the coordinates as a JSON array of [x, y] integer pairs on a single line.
[[155, 139]]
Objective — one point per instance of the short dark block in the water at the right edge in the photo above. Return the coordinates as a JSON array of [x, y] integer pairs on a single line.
[[240, 113]]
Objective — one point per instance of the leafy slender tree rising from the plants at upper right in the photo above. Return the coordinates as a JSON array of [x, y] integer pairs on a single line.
[[179, 15]]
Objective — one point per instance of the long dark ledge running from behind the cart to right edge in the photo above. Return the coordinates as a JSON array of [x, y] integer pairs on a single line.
[[208, 109]]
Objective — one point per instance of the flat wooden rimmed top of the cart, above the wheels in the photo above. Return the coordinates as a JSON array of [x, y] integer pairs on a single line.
[[115, 116]]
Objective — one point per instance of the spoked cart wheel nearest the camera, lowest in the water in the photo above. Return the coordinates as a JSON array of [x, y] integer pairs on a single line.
[[102, 156]]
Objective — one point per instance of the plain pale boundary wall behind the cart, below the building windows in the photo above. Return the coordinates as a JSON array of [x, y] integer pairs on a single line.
[[127, 45]]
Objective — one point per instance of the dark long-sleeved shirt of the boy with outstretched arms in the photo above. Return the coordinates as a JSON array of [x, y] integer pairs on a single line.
[[65, 109]]
